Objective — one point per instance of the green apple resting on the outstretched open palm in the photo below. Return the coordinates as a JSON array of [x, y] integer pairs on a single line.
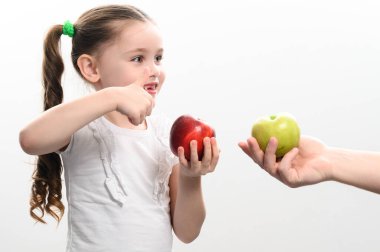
[[282, 126]]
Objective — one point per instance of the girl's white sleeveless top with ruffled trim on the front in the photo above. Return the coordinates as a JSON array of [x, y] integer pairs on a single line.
[[117, 188]]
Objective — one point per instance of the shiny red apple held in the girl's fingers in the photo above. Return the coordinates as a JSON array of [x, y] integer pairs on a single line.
[[186, 128]]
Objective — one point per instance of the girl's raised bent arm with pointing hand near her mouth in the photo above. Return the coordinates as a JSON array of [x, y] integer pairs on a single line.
[[53, 129]]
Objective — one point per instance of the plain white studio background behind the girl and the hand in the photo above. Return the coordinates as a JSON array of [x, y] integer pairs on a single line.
[[227, 63]]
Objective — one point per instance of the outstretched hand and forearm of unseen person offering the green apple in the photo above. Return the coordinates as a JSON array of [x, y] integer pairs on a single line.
[[313, 162]]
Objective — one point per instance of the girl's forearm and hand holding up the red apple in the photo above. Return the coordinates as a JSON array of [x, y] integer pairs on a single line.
[[187, 206]]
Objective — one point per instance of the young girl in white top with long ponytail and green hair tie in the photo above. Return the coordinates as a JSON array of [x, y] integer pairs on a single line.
[[125, 189]]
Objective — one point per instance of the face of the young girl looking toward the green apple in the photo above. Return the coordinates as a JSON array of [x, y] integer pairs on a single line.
[[123, 61]]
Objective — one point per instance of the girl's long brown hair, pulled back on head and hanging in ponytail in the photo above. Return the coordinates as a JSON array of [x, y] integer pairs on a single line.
[[94, 28]]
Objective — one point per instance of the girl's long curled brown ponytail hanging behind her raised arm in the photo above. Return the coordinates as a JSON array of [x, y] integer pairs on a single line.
[[47, 184]]
